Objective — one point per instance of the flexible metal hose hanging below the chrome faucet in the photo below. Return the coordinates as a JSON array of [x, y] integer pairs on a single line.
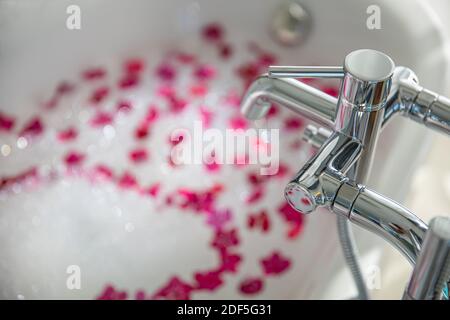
[[351, 256]]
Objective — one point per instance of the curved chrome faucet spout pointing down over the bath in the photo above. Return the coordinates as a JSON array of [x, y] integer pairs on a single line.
[[295, 95]]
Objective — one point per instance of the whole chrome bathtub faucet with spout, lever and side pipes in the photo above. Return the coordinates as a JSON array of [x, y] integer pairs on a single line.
[[372, 92]]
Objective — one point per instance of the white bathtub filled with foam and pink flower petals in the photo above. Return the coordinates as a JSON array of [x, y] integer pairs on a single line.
[[90, 205]]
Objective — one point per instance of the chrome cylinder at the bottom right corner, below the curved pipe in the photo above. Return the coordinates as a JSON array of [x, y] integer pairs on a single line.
[[432, 269]]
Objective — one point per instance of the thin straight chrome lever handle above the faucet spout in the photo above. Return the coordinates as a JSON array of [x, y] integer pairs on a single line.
[[306, 72]]
